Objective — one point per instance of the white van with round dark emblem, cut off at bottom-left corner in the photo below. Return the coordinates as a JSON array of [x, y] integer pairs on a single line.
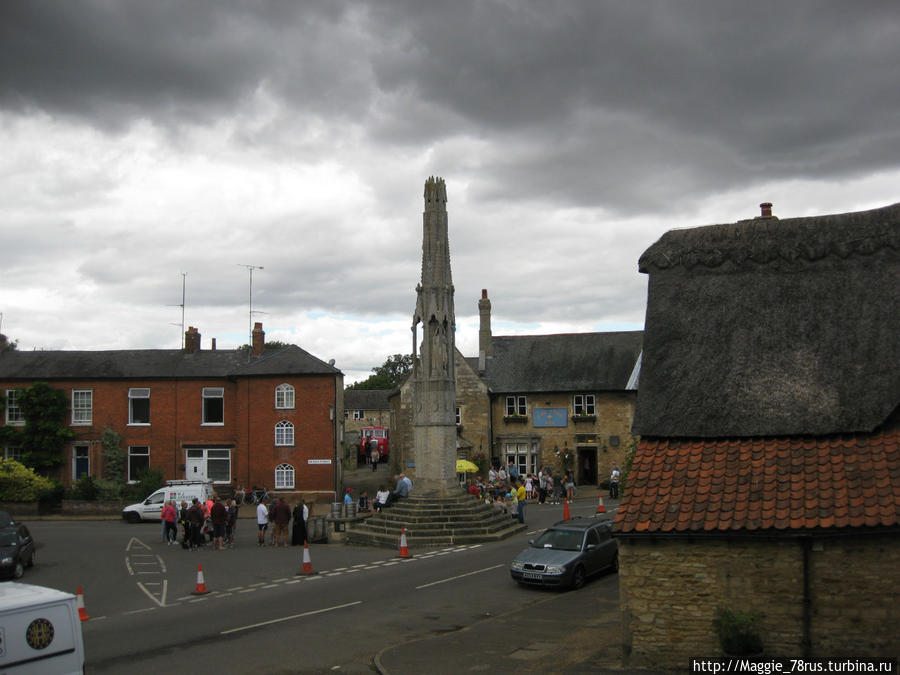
[[40, 631]]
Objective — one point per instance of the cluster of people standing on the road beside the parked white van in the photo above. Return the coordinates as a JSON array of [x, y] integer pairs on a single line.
[[212, 521]]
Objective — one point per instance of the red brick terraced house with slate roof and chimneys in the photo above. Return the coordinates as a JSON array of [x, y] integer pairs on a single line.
[[267, 417]]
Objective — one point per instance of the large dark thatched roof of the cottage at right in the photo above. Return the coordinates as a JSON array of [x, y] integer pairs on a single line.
[[772, 327]]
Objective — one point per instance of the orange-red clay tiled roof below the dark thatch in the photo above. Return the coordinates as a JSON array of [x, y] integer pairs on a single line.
[[763, 485]]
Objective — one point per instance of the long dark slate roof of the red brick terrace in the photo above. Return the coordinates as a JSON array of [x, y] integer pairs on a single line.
[[158, 363]]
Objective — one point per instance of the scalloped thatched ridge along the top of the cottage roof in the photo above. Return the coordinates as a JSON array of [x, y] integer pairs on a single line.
[[766, 241]]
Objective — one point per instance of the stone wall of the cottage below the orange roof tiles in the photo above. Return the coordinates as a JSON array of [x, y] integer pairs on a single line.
[[669, 590]]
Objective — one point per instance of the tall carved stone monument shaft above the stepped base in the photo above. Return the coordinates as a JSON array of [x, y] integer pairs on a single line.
[[434, 374]]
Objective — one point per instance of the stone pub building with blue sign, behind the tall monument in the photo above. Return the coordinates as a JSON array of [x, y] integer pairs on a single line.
[[560, 400]]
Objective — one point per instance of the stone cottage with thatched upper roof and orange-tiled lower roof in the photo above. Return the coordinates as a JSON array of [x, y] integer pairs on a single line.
[[767, 477]]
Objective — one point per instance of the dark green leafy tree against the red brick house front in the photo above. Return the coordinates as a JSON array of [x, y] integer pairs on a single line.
[[45, 434]]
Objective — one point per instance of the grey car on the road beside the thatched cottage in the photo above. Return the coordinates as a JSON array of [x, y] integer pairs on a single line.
[[567, 553]]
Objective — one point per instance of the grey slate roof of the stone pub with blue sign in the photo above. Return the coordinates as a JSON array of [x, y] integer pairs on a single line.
[[564, 362]]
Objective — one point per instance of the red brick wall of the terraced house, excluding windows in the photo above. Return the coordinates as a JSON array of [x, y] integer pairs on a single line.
[[250, 417]]
